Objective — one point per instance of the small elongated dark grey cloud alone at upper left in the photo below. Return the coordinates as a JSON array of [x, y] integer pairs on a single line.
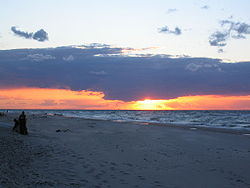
[[39, 35]]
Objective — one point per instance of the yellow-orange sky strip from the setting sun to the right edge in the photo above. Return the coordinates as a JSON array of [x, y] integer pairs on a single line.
[[199, 102]]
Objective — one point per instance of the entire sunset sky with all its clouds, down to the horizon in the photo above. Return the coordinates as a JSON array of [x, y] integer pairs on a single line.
[[140, 54]]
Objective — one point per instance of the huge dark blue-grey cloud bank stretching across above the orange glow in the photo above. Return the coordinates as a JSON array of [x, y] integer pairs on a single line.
[[121, 77]]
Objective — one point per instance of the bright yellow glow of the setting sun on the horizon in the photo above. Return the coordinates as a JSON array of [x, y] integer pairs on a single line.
[[149, 104]]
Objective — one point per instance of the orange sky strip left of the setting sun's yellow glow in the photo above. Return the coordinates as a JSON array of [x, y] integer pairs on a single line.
[[39, 98]]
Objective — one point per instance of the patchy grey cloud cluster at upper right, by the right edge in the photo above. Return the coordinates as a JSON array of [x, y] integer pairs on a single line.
[[229, 30]]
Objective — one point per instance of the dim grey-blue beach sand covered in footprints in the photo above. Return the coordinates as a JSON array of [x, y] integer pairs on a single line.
[[72, 152]]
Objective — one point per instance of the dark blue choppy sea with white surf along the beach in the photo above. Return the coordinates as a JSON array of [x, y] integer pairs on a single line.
[[206, 118]]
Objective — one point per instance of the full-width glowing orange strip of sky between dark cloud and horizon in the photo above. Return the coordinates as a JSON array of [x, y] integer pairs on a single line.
[[44, 98]]
